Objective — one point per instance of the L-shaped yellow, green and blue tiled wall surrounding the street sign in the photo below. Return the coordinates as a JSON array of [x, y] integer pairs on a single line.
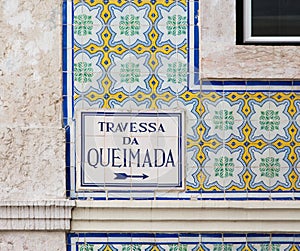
[[243, 138]]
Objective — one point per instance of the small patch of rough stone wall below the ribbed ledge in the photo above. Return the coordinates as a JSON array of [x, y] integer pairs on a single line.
[[46, 241]]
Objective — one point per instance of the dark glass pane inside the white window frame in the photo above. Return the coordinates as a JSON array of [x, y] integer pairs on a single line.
[[276, 17]]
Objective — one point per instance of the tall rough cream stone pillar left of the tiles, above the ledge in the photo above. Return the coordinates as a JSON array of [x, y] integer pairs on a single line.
[[32, 164]]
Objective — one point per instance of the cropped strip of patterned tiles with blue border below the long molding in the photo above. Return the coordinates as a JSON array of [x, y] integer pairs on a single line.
[[181, 242]]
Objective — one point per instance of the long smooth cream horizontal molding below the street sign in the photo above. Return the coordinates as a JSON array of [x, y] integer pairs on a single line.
[[187, 216]]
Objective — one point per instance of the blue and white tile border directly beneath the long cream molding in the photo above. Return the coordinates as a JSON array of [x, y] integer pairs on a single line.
[[156, 239]]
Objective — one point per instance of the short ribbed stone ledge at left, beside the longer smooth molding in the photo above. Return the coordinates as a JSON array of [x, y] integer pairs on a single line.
[[36, 215]]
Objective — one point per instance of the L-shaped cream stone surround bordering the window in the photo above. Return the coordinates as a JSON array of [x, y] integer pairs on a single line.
[[222, 58]]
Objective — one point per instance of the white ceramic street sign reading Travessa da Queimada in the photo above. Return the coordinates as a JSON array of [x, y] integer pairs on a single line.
[[131, 150]]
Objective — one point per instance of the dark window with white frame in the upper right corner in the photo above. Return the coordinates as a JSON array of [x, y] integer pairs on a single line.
[[269, 21]]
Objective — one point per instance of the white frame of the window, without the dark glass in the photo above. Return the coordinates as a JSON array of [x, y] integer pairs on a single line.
[[248, 38]]
